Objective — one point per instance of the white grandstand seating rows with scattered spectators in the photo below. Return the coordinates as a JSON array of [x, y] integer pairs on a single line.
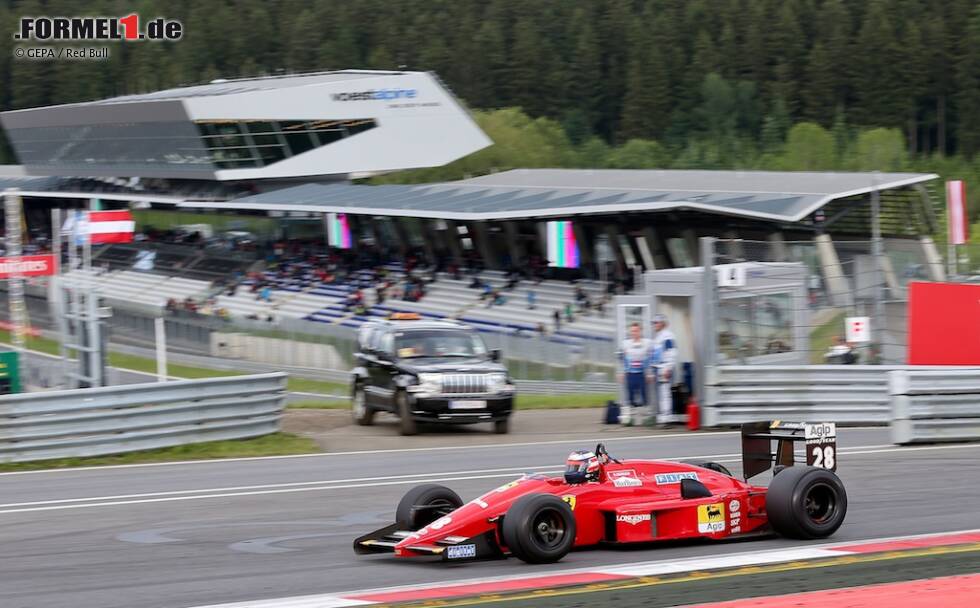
[[301, 296]]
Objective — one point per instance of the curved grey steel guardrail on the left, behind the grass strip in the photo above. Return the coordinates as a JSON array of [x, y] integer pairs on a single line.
[[107, 420]]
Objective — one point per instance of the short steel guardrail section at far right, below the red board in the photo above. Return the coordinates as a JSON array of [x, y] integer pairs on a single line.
[[932, 405]]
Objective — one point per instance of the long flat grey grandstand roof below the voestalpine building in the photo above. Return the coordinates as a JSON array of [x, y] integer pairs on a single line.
[[533, 193]]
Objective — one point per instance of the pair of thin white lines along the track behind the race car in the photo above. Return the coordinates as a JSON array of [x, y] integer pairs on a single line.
[[365, 482]]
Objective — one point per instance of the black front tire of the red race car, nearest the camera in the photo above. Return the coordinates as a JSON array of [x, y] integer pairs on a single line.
[[539, 528]]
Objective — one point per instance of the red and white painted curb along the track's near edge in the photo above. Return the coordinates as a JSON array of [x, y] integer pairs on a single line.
[[479, 586]]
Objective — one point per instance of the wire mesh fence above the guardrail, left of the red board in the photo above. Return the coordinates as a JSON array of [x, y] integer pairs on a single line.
[[841, 279]]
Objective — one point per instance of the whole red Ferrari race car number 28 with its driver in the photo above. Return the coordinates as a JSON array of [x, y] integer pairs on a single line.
[[600, 499]]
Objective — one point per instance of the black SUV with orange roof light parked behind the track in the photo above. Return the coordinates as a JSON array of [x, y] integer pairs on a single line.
[[429, 371]]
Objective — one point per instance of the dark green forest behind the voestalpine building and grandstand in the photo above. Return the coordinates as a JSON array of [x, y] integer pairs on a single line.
[[767, 84]]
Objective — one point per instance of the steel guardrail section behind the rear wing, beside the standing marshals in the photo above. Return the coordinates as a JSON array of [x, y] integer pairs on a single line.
[[735, 394]]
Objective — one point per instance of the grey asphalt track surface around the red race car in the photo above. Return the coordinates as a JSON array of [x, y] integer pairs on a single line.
[[181, 535]]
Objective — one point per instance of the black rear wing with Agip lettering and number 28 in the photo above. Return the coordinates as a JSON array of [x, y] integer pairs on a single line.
[[757, 437]]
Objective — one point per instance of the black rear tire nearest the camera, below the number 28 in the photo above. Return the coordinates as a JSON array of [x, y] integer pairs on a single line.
[[806, 502]]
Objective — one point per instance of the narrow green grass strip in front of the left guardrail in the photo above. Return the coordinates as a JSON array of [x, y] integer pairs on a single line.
[[276, 444]]
